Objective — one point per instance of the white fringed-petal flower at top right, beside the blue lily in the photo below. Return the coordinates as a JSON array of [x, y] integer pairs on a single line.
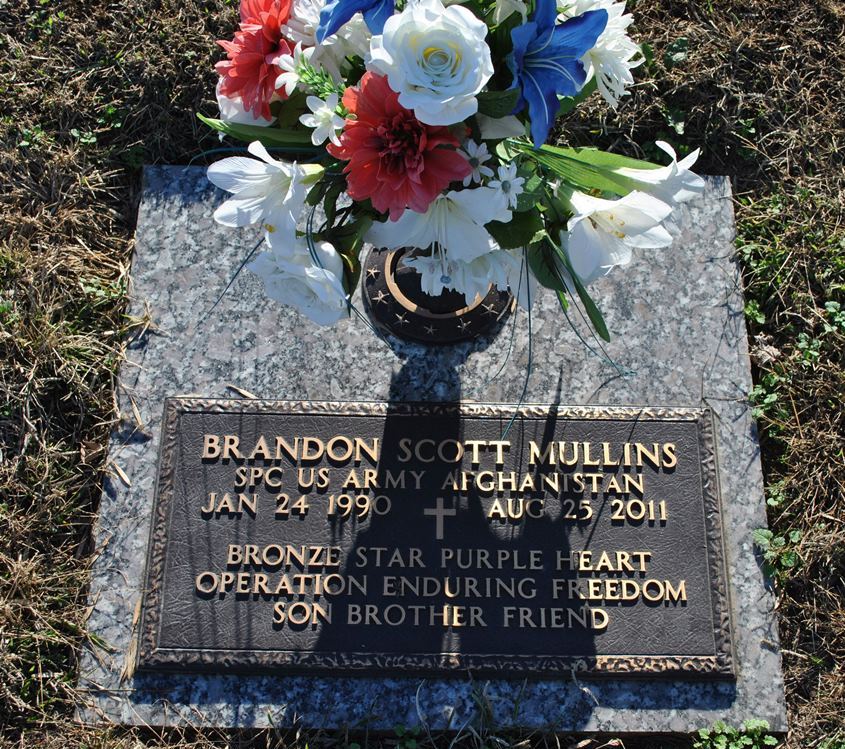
[[615, 54]]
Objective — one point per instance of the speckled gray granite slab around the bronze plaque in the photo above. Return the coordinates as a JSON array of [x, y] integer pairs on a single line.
[[679, 339]]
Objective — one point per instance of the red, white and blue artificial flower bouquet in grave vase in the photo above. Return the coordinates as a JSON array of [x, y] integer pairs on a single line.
[[424, 124]]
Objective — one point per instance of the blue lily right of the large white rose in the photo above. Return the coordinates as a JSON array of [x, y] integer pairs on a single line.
[[546, 61]]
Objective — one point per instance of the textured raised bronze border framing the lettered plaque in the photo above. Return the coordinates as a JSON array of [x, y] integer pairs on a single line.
[[150, 656]]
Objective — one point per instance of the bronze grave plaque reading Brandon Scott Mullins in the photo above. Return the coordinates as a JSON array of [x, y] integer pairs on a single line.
[[436, 538]]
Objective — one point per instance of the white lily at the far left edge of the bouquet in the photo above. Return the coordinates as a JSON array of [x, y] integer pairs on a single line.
[[264, 190]]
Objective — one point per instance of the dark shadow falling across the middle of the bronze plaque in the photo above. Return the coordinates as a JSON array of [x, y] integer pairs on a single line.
[[485, 623]]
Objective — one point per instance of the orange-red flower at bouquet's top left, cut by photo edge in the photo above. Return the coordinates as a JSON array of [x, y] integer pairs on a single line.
[[250, 73]]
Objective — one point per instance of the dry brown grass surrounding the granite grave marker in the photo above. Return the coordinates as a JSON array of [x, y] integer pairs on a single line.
[[93, 89]]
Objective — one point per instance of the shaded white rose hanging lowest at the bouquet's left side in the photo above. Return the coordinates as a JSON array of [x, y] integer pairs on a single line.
[[292, 277]]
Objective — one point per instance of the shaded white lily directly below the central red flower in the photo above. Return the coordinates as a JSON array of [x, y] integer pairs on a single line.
[[453, 225]]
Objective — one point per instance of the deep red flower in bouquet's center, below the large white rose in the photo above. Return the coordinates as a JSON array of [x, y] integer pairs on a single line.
[[394, 159]]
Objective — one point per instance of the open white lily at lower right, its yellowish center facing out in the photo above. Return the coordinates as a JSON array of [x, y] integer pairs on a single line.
[[602, 232]]
